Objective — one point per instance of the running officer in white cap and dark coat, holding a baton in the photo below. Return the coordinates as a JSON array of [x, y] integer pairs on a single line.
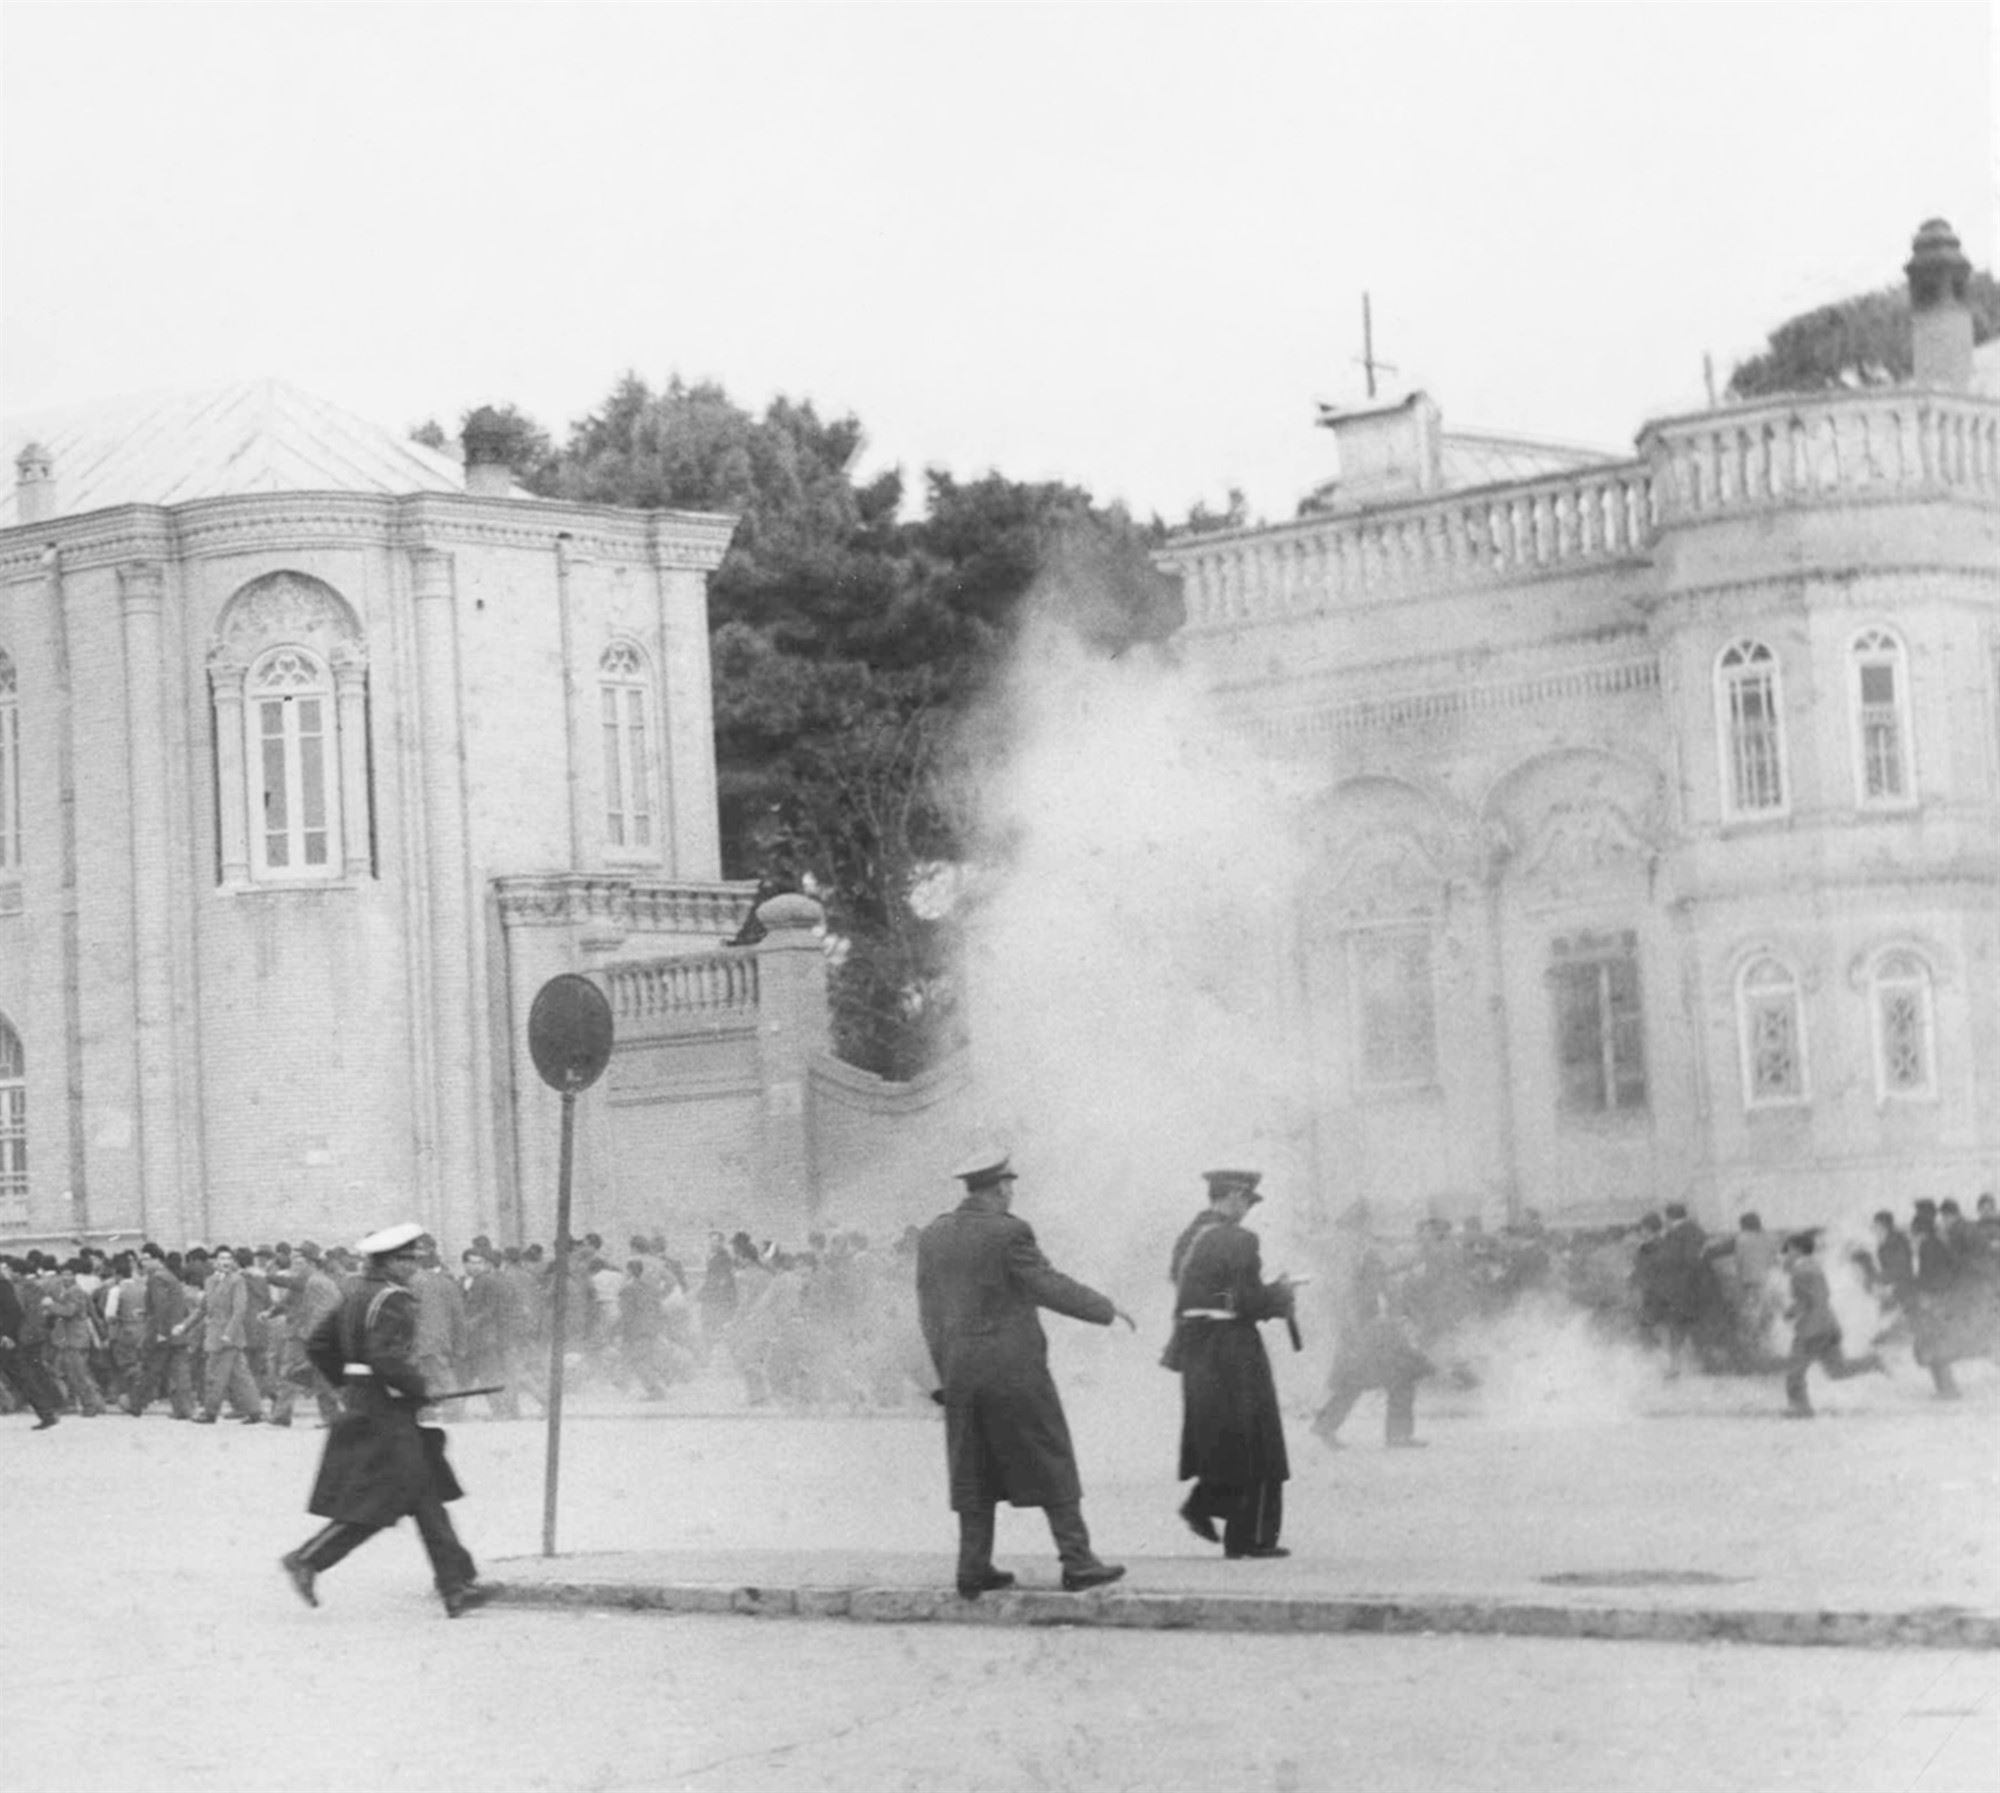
[[379, 1462]]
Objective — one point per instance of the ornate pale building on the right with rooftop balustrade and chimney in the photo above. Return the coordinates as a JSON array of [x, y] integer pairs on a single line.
[[1659, 815]]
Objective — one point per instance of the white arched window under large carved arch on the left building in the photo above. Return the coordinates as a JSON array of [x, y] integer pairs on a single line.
[[295, 789]]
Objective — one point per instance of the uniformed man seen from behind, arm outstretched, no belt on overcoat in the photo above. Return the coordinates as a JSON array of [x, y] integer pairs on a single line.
[[979, 1284]]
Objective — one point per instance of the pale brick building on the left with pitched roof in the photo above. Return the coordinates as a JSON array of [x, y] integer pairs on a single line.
[[317, 757]]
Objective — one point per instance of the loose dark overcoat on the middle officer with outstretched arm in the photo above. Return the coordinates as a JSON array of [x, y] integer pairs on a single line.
[[979, 1284]]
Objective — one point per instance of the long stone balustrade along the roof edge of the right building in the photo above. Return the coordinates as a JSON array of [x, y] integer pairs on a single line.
[[1839, 447]]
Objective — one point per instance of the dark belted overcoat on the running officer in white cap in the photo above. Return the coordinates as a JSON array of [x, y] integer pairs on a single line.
[[379, 1462]]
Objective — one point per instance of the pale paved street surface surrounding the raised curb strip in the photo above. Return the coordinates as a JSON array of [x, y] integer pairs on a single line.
[[139, 1572]]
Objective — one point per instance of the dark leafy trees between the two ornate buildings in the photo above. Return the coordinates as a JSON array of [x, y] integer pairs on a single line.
[[849, 651]]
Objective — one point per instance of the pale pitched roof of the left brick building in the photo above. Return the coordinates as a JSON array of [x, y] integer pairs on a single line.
[[223, 441]]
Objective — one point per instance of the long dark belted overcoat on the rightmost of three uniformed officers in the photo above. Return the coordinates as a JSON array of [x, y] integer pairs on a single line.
[[1231, 1428]]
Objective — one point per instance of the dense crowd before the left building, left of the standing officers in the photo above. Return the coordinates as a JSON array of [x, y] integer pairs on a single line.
[[217, 1332]]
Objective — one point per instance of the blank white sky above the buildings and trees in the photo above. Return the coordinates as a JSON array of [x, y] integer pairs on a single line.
[[1121, 245]]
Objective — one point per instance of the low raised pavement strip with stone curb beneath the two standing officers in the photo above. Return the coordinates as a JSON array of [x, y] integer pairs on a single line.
[[1297, 1596]]
